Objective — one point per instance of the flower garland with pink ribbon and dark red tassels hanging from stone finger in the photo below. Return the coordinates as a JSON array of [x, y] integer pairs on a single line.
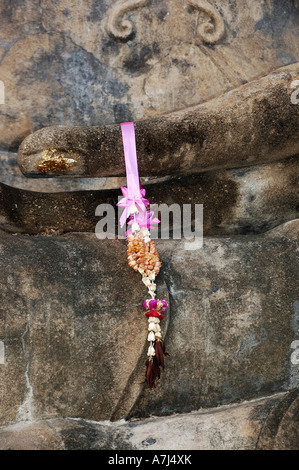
[[142, 253]]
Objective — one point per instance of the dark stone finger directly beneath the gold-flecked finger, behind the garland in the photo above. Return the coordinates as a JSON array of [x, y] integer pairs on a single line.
[[237, 201]]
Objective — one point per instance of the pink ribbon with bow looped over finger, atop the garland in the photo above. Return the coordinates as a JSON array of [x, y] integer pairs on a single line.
[[133, 194]]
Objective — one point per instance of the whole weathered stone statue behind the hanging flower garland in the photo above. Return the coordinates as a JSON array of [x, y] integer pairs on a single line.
[[216, 108]]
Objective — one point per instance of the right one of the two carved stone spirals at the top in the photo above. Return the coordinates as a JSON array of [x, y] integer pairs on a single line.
[[209, 33]]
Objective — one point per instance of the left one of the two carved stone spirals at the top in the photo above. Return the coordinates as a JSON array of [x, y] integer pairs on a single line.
[[122, 29]]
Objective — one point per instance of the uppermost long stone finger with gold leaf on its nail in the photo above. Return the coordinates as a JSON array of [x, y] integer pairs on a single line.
[[256, 123]]
